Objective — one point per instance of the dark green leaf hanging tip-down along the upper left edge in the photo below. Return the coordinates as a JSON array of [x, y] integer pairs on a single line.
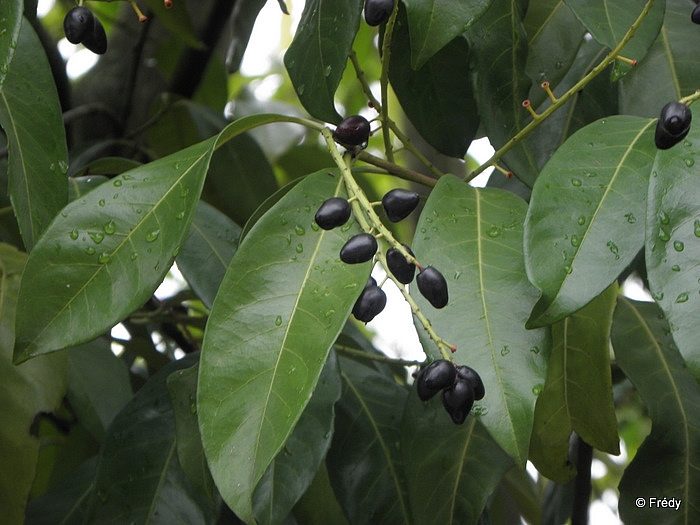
[[30, 115]]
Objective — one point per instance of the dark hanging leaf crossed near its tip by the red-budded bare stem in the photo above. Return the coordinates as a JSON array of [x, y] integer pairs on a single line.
[[498, 45]]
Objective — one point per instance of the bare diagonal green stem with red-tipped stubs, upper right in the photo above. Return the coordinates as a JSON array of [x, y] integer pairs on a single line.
[[565, 97]]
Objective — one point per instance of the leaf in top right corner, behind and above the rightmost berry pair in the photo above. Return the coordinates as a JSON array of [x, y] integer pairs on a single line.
[[669, 71]]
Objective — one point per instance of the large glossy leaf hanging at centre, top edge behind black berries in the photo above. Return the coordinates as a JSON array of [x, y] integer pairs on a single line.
[[284, 299]]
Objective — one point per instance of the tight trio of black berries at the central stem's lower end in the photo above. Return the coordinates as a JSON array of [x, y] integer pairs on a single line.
[[460, 386]]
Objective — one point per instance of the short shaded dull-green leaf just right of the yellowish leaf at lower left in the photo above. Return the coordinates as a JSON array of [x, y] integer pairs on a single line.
[[98, 385]]
